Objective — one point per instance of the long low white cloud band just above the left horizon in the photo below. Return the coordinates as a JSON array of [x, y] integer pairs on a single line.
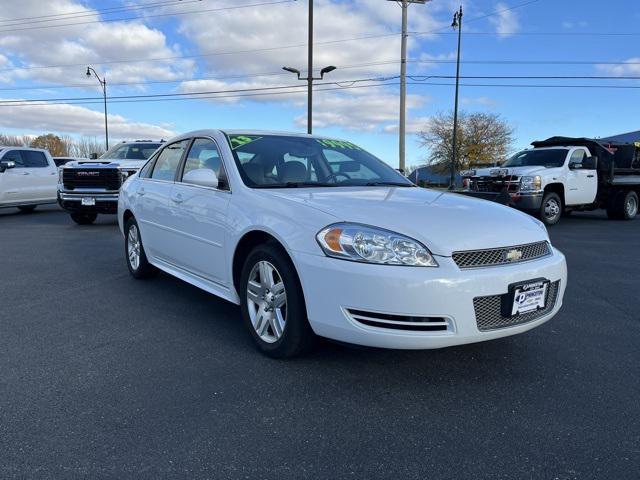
[[76, 120]]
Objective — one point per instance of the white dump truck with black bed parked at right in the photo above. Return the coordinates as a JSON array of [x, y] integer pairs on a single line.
[[560, 175]]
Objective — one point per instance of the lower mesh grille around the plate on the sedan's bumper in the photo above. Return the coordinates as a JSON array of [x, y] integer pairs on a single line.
[[489, 310]]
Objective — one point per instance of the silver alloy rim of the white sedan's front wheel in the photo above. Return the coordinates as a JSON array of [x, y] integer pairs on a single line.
[[267, 301]]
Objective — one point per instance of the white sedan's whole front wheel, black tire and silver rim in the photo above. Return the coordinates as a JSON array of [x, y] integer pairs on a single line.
[[272, 303]]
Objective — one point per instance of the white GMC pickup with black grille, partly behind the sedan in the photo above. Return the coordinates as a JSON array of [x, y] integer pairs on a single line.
[[87, 188]]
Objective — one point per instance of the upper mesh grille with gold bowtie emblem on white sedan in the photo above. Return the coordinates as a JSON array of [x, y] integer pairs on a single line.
[[500, 256]]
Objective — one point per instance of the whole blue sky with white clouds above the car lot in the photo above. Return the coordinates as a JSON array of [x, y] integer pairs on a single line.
[[540, 31]]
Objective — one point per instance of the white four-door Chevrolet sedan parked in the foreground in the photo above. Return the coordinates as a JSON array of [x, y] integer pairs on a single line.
[[315, 236]]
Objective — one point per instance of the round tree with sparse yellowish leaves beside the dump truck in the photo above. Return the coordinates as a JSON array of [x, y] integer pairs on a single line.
[[482, 139]]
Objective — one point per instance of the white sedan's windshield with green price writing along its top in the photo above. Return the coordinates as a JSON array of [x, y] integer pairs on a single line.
[[278, 161]]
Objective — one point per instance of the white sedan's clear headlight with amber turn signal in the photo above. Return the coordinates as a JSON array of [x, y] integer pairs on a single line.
[[362, 243]]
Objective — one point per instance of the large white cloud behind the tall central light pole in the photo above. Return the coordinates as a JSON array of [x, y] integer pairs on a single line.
[[362, 109]]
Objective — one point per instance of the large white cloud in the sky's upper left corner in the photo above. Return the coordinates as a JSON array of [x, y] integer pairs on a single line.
[[86, 44]]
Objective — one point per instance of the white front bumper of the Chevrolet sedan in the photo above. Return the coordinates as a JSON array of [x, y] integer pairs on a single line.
[[333, 287]]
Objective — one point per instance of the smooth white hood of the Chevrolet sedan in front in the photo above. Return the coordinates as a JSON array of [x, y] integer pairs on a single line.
[[444, 222]]
